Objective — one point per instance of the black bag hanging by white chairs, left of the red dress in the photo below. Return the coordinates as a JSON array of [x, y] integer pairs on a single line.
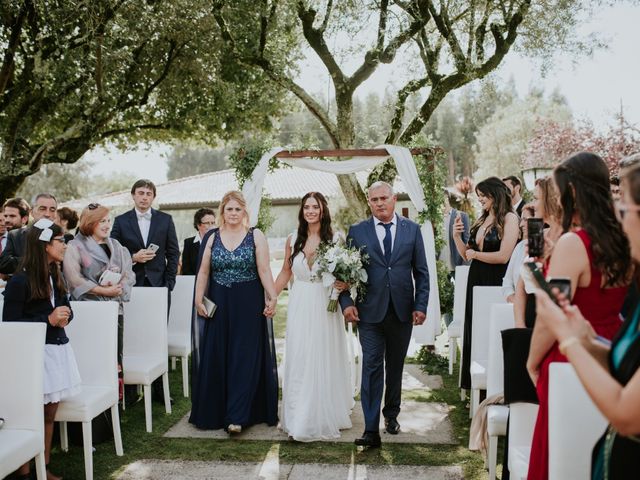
[[518, 386]]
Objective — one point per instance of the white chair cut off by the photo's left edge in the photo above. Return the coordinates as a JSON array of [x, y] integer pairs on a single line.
[[21, 401]]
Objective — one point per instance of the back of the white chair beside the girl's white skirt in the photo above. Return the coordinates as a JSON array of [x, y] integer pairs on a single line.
[[93, 335]]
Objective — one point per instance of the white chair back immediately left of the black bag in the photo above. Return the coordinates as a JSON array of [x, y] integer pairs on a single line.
[[501, 319]]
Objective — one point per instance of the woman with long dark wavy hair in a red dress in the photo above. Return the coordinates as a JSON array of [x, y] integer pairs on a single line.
[[594, 254]]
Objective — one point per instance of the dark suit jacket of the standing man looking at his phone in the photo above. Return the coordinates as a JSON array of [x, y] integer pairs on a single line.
[[161, 271]]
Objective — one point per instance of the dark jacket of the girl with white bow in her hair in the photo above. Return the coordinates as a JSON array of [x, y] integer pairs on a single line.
[[20, 307]]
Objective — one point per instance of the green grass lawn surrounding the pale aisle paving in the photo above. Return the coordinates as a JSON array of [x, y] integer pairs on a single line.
[[141, 445]]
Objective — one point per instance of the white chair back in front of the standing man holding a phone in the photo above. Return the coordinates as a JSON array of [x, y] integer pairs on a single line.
[[145, 323]]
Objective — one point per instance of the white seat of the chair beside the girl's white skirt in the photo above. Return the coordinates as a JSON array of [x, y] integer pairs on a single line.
[[86, 405]]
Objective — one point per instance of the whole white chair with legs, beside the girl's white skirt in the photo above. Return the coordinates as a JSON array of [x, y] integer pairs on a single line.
[[93, 335]]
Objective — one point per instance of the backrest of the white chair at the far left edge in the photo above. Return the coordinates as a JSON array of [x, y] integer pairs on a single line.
[[21, 375]]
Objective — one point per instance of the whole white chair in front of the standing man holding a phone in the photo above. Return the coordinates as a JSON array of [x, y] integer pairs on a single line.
[[145, 350]]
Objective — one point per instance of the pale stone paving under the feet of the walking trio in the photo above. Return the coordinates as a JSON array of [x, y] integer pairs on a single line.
[[422, 422]]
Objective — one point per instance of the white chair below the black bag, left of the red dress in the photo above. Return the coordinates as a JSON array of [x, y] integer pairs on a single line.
[[522, 420]]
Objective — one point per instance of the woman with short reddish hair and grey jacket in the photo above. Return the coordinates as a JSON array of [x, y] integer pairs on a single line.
[[89, 255]]
